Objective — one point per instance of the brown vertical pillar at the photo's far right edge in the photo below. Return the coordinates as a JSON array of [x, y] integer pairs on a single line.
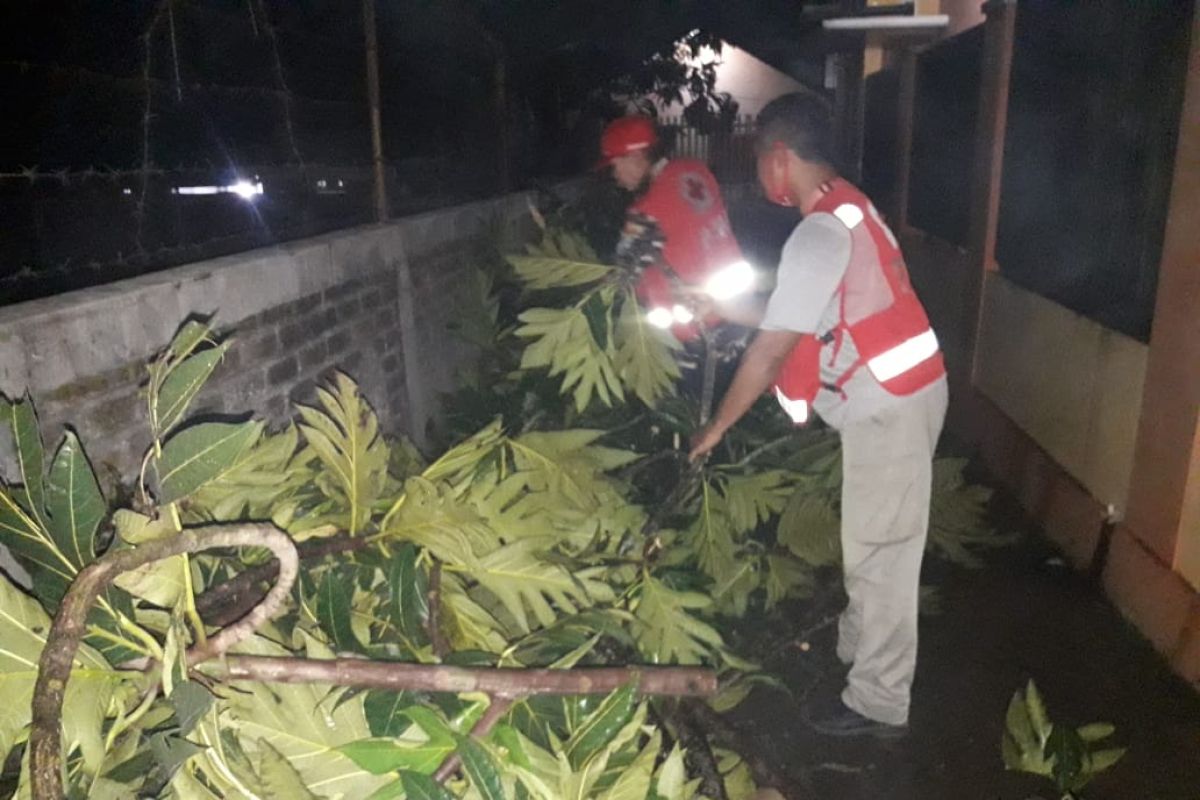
[[1165, 494]]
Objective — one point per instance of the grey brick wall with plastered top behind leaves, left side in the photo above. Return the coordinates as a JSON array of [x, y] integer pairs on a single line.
[[374, 302]]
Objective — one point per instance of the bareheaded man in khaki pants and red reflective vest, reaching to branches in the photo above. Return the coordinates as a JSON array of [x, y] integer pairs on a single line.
[[845, 336]]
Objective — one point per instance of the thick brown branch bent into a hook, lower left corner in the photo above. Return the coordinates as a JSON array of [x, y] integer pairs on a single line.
[[70, 624]]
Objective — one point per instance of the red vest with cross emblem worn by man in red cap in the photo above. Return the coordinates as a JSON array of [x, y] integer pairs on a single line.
[[686, 201]]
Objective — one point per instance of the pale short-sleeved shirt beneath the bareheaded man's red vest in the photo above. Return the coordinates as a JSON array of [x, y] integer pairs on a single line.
[[811, 270]]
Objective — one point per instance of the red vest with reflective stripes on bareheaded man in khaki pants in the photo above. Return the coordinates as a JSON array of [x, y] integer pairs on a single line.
[[878, 310]]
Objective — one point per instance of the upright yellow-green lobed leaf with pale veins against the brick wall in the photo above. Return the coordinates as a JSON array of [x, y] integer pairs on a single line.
[[345, 437]]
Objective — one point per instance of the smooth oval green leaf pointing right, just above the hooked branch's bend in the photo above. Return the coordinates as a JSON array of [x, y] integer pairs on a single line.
[[201, 454]]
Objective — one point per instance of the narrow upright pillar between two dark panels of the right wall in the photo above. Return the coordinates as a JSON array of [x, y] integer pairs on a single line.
[[1000, 33]]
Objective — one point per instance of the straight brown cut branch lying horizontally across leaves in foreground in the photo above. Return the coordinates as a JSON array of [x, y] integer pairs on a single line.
[[665, 682]]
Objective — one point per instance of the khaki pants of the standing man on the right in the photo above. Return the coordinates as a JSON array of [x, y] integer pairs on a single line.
[[887, 468]]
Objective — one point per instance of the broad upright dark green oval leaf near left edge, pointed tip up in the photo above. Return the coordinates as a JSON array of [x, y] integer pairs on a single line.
[[75, 503]]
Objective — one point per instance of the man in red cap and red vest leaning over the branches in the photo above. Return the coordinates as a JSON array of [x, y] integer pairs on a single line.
[[677, 242]]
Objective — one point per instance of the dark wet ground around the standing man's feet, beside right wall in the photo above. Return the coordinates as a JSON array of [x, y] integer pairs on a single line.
[[1024, 616]]
